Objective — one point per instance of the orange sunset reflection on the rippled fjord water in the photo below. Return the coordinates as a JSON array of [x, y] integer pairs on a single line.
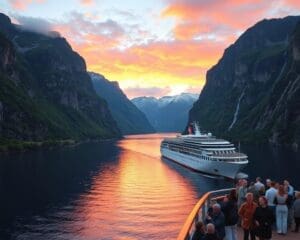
[[137, 197]]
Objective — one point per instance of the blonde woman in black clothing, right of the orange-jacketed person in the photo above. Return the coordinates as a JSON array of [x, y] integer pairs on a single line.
[[263, 219]]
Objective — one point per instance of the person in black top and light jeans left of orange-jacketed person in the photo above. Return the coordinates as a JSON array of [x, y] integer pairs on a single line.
[[230, 210]]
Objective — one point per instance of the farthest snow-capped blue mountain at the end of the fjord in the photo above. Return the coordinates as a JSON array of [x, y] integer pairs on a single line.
[[167, 114]]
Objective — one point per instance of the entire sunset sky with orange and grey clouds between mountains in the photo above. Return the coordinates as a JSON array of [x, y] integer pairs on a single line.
[[153, 47]]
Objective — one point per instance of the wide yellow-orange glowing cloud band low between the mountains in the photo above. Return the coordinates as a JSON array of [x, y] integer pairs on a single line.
[[161, 64]]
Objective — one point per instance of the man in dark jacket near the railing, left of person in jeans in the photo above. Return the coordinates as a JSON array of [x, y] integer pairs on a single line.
[[218, 220]]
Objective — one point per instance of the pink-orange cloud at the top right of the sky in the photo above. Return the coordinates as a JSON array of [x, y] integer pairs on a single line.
[[203, 17]]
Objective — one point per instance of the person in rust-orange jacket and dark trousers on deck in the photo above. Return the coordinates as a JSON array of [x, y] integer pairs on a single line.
[[246, 213]]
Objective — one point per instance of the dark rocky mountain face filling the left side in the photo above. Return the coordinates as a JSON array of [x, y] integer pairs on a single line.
[[46, 92]]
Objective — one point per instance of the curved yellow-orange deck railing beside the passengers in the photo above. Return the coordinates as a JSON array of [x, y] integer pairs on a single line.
[[199, 212]]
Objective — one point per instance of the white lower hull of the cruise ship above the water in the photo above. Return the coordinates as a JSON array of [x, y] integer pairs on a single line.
[[220, 168]]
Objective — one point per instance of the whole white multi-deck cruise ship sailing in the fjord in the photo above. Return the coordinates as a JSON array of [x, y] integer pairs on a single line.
[[204, 153]]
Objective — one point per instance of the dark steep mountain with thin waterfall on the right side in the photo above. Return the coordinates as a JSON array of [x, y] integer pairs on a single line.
[[253, 92]]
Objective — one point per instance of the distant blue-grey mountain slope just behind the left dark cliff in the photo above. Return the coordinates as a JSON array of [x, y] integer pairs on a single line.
[[128, 117]]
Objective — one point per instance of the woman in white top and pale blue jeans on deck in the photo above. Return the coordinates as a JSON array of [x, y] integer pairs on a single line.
[[281, 210]]
